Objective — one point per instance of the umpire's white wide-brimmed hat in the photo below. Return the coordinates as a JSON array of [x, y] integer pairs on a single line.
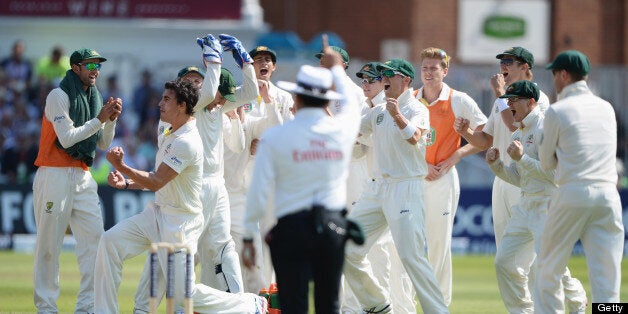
[[312, 81]]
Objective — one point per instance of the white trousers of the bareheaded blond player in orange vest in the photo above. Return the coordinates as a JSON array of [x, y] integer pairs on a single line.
[[441, 202]]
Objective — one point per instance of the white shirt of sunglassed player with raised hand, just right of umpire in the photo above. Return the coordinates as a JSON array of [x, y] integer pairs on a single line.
[[394, 156]]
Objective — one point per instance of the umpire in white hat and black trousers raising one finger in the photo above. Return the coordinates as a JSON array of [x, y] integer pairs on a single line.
[[304, 165]]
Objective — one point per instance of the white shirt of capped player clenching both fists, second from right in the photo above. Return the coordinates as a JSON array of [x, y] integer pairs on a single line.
[[527, 173]]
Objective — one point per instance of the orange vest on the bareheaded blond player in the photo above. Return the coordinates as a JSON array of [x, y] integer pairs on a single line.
[[442, 140]]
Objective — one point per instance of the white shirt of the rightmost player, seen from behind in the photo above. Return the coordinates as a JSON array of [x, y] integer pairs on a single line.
[[580, 138]]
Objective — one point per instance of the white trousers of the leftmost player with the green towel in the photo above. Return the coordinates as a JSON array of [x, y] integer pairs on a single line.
[[63, 196]]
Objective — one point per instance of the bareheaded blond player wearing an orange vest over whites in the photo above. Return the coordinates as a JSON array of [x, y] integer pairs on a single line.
[[443, 152]]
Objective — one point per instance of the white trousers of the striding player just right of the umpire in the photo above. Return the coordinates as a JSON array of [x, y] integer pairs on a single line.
[[395, 205]]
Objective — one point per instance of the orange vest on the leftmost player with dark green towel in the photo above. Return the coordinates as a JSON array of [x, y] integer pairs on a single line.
[[49, 154]]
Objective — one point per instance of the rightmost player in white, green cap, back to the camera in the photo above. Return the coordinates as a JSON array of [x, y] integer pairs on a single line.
[[580, 142]]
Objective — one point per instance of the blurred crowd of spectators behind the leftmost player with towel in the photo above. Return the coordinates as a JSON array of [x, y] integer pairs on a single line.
[[24, 85]]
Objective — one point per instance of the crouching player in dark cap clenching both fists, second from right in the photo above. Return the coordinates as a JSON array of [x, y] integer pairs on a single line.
[[522, 236]]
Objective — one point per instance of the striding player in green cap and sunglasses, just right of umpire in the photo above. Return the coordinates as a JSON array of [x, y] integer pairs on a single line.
[[394, 200]]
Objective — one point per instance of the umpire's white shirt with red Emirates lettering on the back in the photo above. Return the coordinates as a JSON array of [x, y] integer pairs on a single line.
[[307, 159]]
